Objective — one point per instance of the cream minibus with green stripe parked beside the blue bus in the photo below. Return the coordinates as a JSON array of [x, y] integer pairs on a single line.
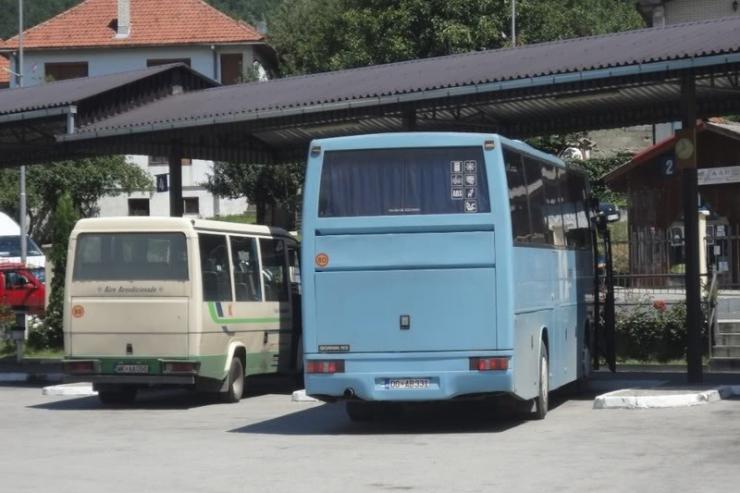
[[172, 301]]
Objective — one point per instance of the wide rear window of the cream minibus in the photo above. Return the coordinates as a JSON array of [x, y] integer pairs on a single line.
[[131, 257]]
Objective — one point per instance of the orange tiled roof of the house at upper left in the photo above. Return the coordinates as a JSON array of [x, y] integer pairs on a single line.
[[153, 23]]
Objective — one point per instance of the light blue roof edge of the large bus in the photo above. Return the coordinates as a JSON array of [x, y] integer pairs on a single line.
[[430, 139]]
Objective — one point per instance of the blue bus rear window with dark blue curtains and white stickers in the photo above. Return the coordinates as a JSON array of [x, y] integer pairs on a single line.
[[391, 182]]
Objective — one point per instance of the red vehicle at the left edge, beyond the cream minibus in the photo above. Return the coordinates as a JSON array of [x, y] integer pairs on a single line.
[[19, 288]]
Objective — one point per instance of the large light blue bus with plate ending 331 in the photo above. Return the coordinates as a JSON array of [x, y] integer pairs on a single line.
[[442, 266]]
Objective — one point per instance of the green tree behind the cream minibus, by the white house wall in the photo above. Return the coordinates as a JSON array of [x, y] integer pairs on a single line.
[[86, 180]]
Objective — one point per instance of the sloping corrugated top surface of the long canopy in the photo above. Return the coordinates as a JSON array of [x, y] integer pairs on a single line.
[[580, 54]]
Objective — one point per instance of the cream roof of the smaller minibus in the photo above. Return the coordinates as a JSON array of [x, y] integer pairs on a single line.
[[173, 224]]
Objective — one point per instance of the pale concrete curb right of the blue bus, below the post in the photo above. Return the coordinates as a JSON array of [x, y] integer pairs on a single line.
[[663, 398]]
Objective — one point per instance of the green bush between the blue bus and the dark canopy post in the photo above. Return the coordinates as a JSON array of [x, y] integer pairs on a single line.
[[654, 332]]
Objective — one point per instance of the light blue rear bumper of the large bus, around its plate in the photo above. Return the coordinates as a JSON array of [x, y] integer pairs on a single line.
[[367, 377]]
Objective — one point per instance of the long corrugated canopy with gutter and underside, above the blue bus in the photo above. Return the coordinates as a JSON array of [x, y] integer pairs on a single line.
[[596, 82]]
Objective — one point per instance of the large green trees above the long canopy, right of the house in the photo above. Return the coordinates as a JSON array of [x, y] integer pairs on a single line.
[[320, 35]]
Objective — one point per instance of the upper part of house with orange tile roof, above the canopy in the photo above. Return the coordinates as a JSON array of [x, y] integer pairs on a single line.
[[98, 37]]
